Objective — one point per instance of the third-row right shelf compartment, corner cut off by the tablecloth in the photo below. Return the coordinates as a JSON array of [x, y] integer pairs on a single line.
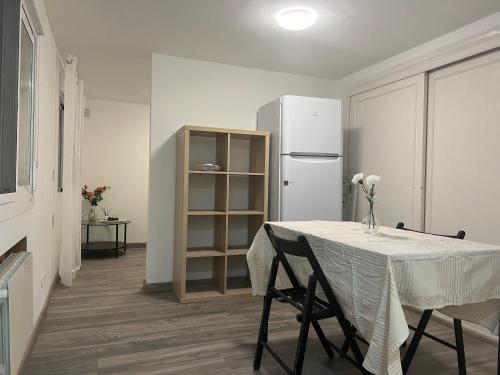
[[241, 232]]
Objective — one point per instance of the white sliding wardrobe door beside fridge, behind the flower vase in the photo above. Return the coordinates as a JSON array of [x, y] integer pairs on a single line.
[[386, 138]]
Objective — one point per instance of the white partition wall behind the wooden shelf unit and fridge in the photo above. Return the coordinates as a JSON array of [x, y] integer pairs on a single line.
[[186, 91]]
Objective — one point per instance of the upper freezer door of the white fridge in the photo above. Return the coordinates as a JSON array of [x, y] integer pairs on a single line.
[[311, 125]]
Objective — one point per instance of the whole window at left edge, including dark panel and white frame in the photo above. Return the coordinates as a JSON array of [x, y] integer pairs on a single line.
[[17, 100]]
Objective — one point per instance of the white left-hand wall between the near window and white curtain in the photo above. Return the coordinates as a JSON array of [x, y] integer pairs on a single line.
[[36, 222]]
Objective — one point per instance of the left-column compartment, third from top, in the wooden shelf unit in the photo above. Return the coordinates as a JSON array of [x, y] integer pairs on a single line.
[[206, 233]]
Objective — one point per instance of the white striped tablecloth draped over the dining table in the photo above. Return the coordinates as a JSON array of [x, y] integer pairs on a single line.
[[373, 276]]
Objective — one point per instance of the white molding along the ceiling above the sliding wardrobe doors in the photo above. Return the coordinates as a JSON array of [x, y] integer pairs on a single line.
[[476, 38]]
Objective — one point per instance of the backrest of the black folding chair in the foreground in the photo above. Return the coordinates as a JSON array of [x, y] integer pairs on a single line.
[[299, 248]]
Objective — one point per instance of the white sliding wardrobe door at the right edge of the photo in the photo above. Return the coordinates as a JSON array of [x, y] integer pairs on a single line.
[[463, 174]]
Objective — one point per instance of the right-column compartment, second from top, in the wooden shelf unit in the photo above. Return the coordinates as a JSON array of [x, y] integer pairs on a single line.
[[246, 193]]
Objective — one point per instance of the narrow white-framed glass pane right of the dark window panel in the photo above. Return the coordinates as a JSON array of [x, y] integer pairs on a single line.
[[26, 121]]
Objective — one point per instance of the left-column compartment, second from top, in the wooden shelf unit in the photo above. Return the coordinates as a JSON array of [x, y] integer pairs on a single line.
[[207, 192]]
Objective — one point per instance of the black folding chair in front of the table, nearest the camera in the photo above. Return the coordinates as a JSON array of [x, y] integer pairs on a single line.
[[311, 308]]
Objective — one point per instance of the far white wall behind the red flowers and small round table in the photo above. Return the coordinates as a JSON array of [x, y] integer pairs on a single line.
[[115, 152]]
